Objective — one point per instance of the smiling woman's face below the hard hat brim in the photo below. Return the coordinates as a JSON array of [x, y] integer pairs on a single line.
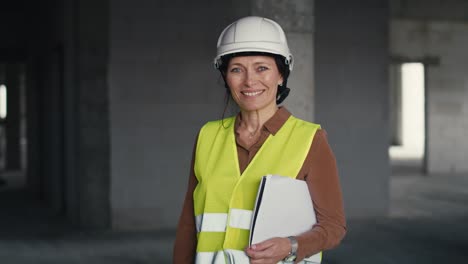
[[253, 81]]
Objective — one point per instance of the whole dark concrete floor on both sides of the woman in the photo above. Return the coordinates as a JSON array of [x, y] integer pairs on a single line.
[[427, 224]]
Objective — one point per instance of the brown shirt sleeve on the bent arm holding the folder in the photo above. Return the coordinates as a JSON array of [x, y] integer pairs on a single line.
[[321, 174]]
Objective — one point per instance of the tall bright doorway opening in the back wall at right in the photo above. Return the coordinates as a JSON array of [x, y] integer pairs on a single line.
[[407, 151]]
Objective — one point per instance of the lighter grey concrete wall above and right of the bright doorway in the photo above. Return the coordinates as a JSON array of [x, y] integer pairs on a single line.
[[447, 86]]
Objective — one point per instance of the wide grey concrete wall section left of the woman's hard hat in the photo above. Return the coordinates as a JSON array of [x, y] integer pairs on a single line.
[[163, 88]]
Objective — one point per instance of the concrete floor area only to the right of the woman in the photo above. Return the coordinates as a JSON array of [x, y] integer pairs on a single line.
[[427, 224]]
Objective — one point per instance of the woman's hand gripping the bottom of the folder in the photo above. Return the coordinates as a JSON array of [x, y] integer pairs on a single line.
[[269, 251]]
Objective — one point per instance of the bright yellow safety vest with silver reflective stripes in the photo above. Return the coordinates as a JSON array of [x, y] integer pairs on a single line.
[[224, 198]]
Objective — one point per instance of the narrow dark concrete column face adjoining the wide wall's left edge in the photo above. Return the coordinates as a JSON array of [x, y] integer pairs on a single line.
[[92, 49]]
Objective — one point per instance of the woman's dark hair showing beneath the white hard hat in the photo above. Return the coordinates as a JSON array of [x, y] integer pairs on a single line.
[[283, 68]]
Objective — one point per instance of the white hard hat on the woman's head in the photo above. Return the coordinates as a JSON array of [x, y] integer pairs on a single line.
[[253, 34]]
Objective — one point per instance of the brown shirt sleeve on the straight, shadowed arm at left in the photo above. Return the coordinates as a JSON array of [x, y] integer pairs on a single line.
[[186, 235]]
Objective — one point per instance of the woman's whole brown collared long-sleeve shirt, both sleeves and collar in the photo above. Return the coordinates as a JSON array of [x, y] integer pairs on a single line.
[[319, 171]]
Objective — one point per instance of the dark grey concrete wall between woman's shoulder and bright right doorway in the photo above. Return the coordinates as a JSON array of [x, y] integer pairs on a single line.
[[351, 71]]
